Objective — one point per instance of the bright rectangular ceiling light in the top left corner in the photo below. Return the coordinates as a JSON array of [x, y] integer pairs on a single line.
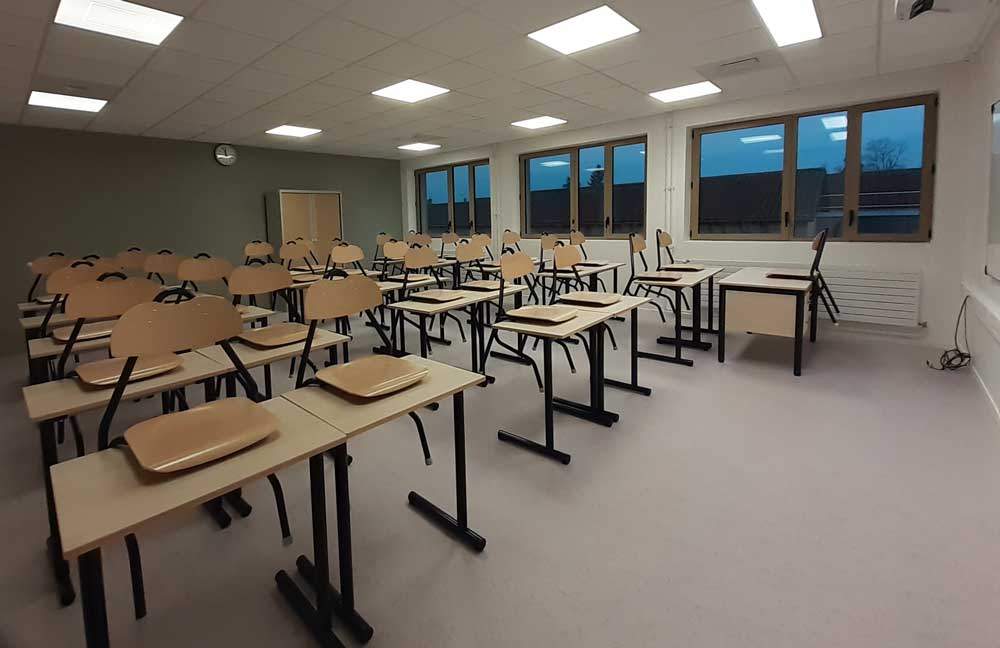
[[118, 18]]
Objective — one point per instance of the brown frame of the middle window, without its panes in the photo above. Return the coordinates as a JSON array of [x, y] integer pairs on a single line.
[[574, 186]]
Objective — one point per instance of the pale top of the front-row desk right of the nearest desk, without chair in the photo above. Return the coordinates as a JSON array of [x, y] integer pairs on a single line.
[[352, 416]]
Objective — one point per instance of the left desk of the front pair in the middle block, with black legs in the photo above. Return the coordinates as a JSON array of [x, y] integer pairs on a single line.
[[585, 320]]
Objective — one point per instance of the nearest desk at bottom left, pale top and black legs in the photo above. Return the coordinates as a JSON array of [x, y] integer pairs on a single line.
[[102, 497]]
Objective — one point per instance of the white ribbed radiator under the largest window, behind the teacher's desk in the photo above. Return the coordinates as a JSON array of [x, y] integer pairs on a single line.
[[870, 296]]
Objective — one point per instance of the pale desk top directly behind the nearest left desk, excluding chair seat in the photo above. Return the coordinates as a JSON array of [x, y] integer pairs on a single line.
[[59, 398]]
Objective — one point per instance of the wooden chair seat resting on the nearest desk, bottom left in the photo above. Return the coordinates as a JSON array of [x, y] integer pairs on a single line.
[[201, 434]]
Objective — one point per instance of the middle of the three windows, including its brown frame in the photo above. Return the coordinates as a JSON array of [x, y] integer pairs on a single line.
[[598, 189]]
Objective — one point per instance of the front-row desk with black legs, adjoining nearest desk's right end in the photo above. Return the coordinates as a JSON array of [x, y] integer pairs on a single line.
[[354, 417]]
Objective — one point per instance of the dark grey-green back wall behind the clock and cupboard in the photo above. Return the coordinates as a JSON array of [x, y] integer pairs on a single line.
[[84, 193]]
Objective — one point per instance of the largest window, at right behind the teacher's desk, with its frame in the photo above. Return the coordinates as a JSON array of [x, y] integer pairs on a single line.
[[863, 172]]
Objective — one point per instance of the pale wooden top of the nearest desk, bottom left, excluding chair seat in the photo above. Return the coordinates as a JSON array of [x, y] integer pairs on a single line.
[[105, 495]]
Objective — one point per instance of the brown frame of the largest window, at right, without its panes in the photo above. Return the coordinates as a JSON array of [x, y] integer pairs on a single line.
[[852, 172]]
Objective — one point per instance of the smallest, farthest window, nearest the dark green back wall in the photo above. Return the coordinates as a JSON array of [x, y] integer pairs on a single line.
[[454, 198]]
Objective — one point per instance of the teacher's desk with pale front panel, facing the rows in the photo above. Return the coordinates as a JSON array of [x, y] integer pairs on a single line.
[[751, 301]]
